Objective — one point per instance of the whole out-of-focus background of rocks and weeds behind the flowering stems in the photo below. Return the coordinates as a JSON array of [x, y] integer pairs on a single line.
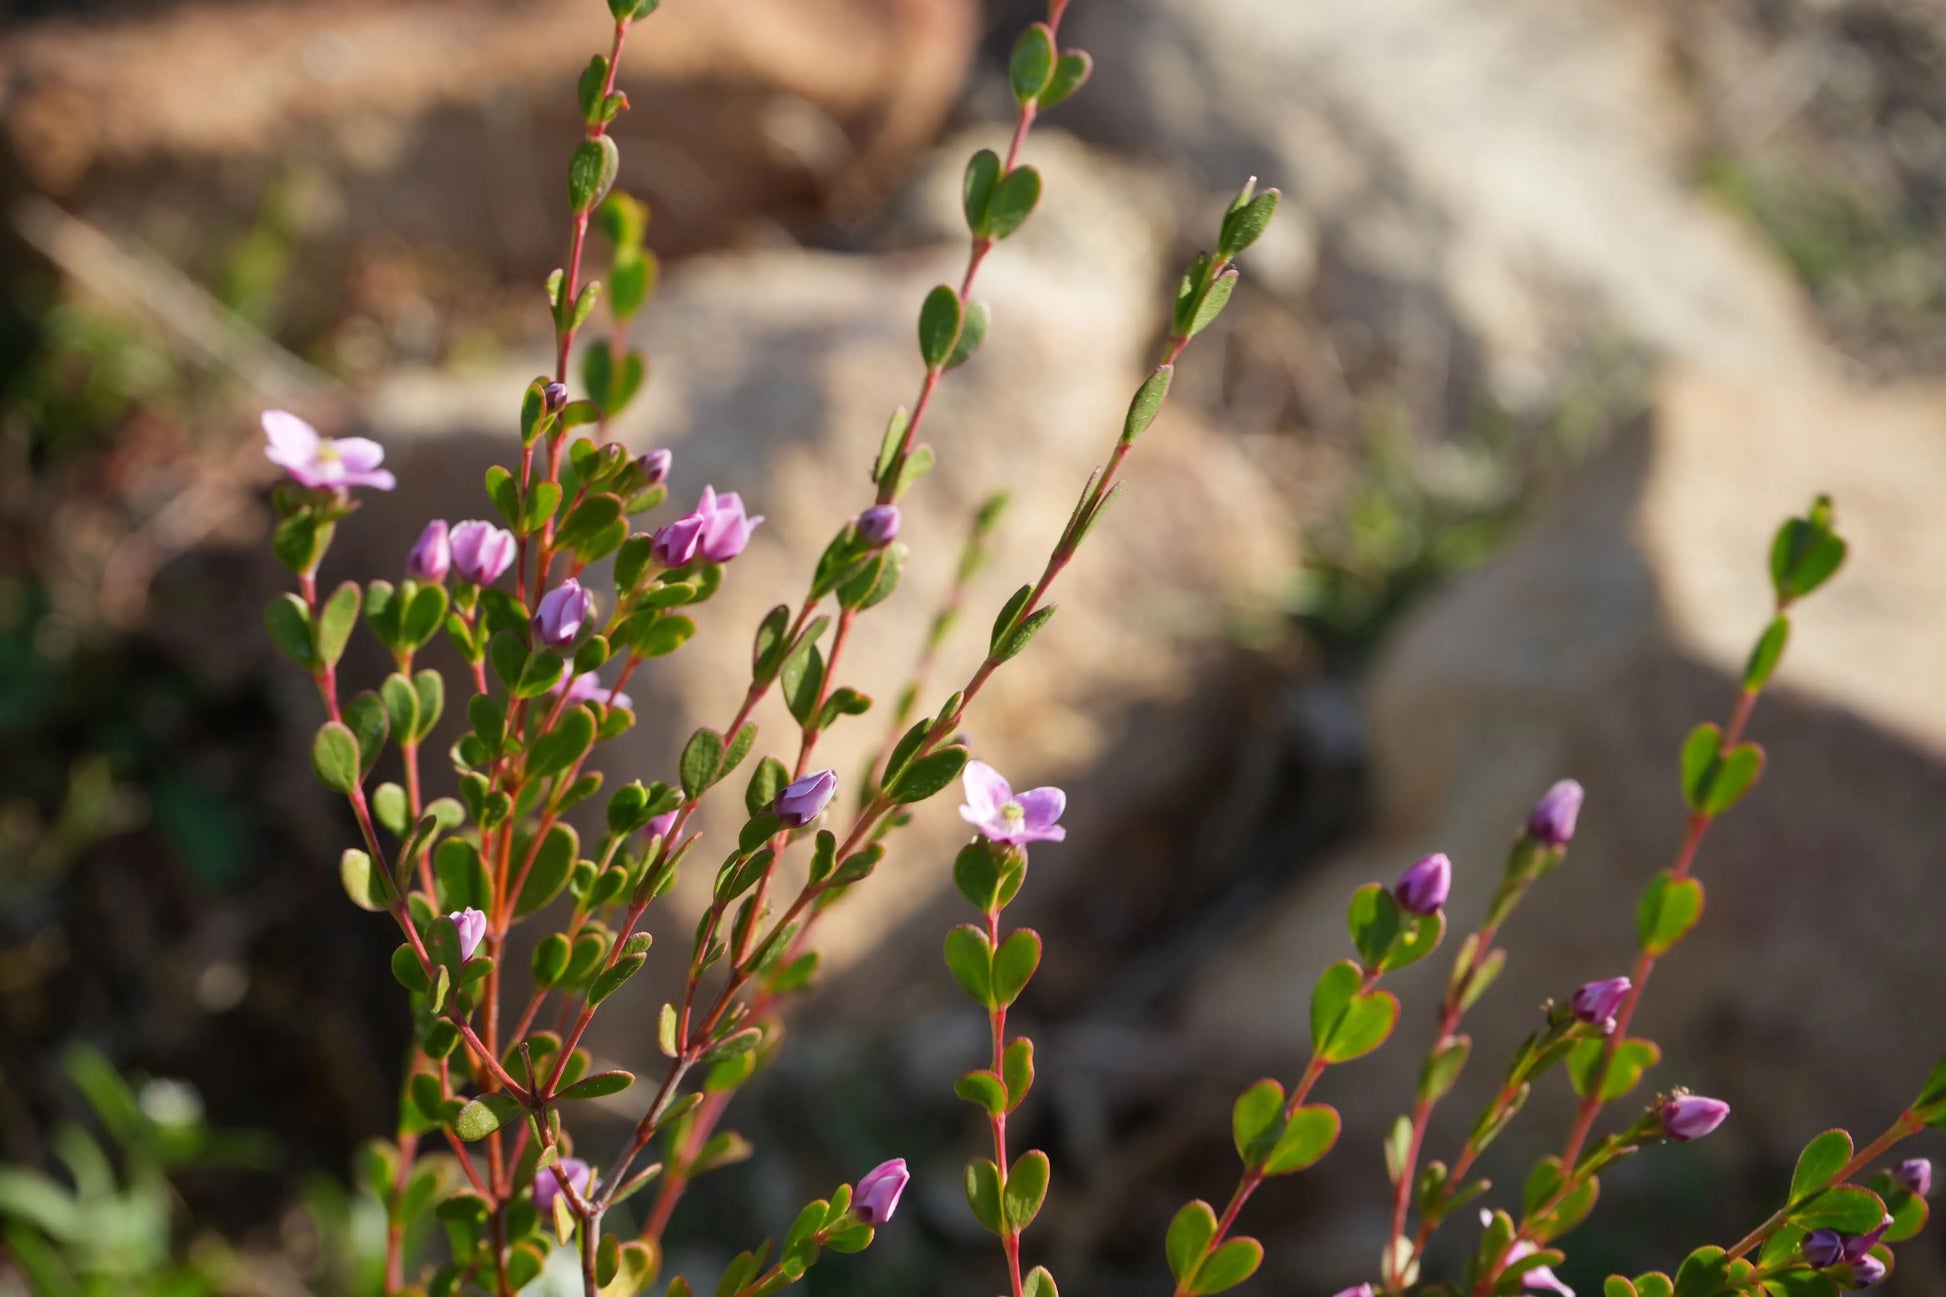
[[1569, 305]]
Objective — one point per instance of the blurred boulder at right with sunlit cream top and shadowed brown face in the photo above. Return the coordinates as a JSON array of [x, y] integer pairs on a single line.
[[1589, 651]]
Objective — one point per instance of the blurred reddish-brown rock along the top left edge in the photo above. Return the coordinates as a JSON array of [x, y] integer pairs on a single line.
[[447, 126]]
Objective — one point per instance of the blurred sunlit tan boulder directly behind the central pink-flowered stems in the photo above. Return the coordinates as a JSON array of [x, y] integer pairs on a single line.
[[774, 377]]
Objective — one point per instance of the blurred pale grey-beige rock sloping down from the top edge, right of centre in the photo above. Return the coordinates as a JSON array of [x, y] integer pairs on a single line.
[[1523, 165]]
